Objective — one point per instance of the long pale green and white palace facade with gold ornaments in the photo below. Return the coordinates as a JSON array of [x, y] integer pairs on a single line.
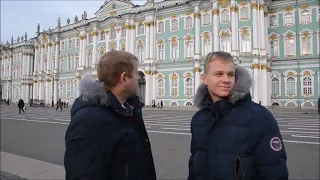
[[276, 41]]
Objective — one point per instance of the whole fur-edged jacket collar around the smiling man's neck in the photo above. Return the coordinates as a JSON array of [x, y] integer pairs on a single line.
[[240, 91]]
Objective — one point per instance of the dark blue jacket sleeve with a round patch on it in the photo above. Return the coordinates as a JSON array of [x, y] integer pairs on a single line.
[[270, 154]]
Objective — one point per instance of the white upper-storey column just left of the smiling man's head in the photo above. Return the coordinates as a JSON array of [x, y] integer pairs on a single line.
[[197, 32]]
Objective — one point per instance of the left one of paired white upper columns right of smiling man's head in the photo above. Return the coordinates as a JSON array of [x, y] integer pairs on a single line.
[[255, 29]]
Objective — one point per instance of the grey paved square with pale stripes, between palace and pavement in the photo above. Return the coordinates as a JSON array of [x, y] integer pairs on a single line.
[[39, 134]]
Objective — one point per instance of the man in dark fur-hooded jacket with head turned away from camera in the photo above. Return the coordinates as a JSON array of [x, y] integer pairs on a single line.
[[107, 138]]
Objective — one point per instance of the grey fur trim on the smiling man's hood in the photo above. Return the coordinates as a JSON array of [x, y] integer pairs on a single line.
[[241, 88]]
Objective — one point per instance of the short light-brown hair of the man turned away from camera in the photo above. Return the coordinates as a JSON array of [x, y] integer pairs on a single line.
[[112, 64]]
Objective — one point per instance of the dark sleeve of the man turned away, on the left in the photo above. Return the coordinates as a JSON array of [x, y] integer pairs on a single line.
[[88, 149]]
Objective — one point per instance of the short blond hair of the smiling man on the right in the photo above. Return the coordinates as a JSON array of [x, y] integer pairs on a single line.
[[218, 55]]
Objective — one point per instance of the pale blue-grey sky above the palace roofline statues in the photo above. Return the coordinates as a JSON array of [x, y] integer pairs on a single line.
[[18, 17]]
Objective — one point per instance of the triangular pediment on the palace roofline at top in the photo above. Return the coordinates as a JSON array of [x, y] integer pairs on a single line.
[[113, 7]]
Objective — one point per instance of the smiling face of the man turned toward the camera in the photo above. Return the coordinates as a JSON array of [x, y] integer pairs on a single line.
[[220, 78]]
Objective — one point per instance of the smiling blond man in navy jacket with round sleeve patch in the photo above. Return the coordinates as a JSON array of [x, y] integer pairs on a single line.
[[233, 137]]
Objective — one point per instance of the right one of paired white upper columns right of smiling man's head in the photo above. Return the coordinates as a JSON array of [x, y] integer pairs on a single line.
[[262, 31]]
